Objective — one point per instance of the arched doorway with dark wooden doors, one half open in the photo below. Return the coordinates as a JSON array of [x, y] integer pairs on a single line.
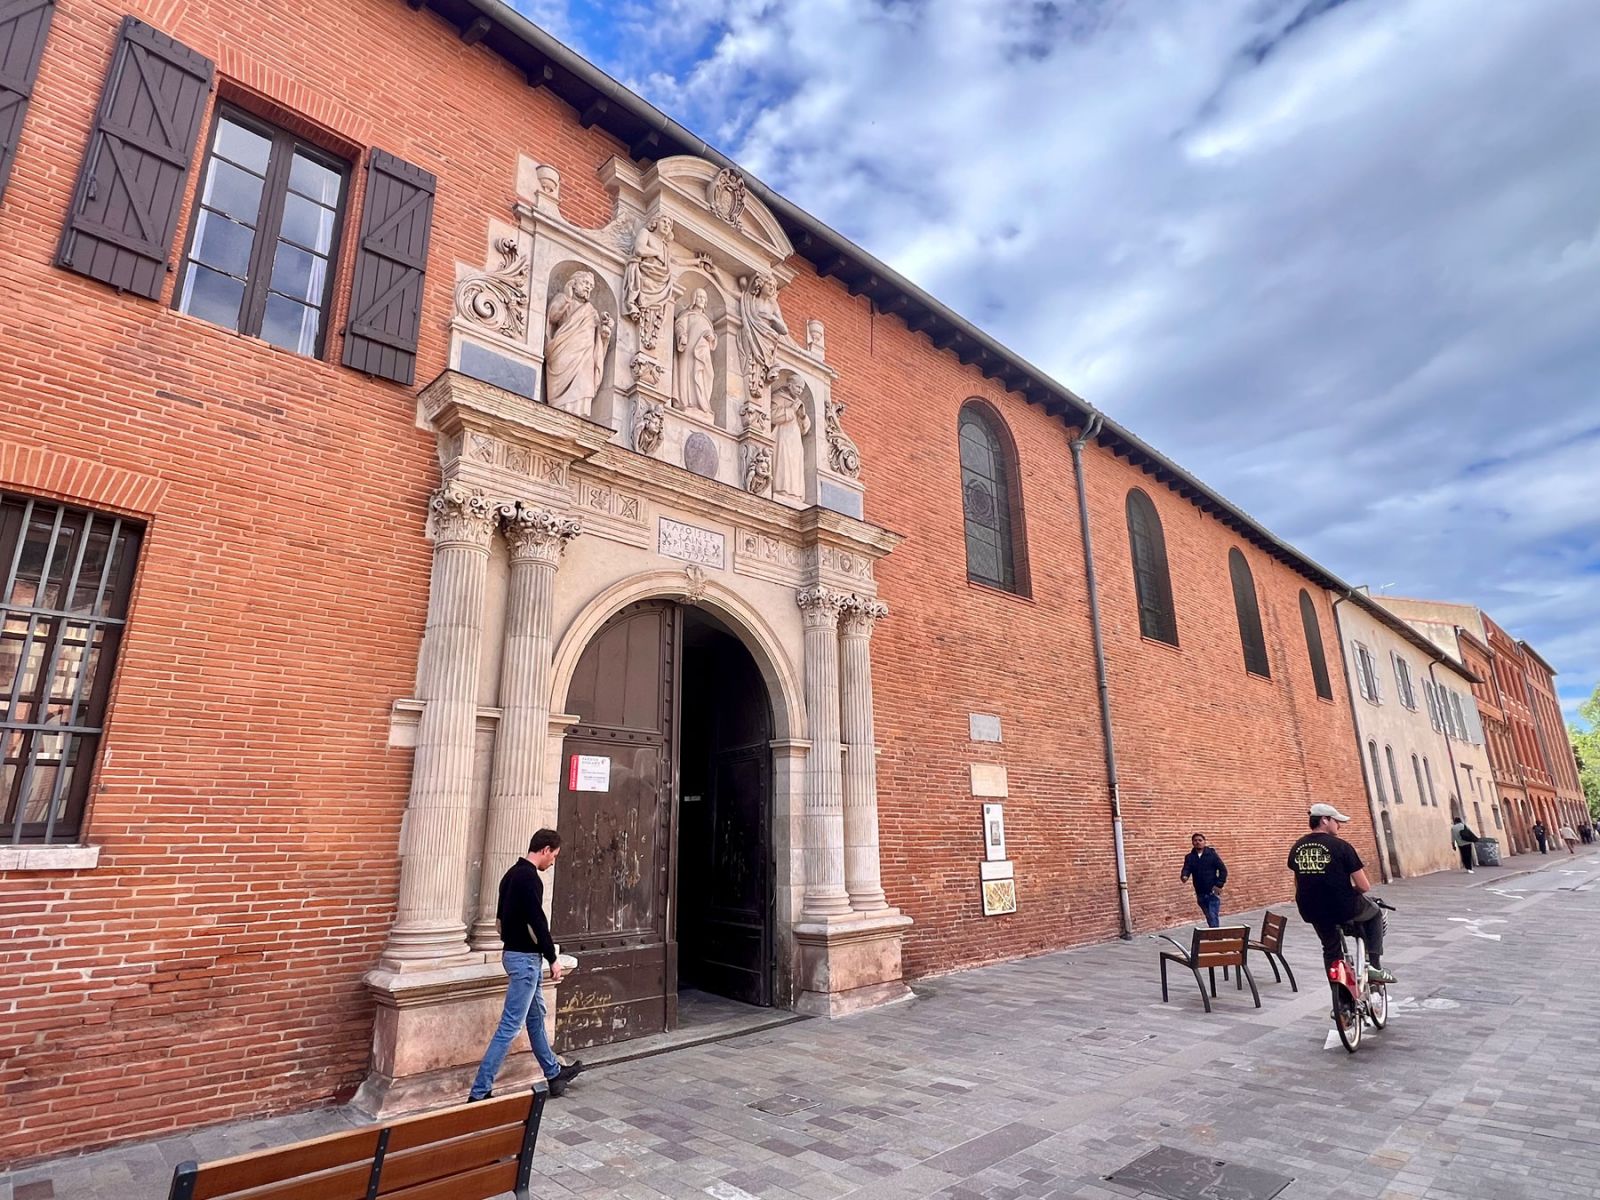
[[665, 807]]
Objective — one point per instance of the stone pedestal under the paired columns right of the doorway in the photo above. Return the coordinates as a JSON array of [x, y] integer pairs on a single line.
[[847, 967]]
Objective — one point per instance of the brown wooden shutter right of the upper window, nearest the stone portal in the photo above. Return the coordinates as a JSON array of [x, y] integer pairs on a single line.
[[386, 295]]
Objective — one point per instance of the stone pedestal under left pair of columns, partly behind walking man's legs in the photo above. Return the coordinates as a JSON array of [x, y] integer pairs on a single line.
[[430, 1036]]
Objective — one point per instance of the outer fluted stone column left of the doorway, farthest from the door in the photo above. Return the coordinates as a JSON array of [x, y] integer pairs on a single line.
[[434, 838]]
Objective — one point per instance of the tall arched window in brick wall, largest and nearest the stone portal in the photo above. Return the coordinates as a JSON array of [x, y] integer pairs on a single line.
[[991, 502]]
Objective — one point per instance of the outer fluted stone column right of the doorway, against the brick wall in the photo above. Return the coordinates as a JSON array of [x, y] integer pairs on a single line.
[[863, 879]]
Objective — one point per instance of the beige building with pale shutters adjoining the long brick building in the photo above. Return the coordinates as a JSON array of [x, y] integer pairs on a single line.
[[1422, 743]]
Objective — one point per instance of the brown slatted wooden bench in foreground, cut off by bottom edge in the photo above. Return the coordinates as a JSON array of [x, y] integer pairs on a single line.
[[466, 1153]]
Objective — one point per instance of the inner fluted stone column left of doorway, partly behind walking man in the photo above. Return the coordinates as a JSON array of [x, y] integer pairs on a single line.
[[537, 542]]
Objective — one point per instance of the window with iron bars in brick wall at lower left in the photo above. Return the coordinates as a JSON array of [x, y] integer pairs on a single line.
[[68, 575]]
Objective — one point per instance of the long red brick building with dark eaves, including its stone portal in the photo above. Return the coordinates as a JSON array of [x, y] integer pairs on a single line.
[[414, 439]]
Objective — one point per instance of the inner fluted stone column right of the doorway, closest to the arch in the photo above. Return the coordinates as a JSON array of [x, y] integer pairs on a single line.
[[825, 817]]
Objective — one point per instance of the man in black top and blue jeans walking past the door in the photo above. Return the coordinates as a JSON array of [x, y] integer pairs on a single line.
[[526, 935]]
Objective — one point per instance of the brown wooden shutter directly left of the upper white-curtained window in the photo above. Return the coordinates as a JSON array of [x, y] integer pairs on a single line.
[[126, 207]]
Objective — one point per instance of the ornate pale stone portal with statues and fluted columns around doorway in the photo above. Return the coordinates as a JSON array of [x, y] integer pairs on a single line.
[[634, 385]]
